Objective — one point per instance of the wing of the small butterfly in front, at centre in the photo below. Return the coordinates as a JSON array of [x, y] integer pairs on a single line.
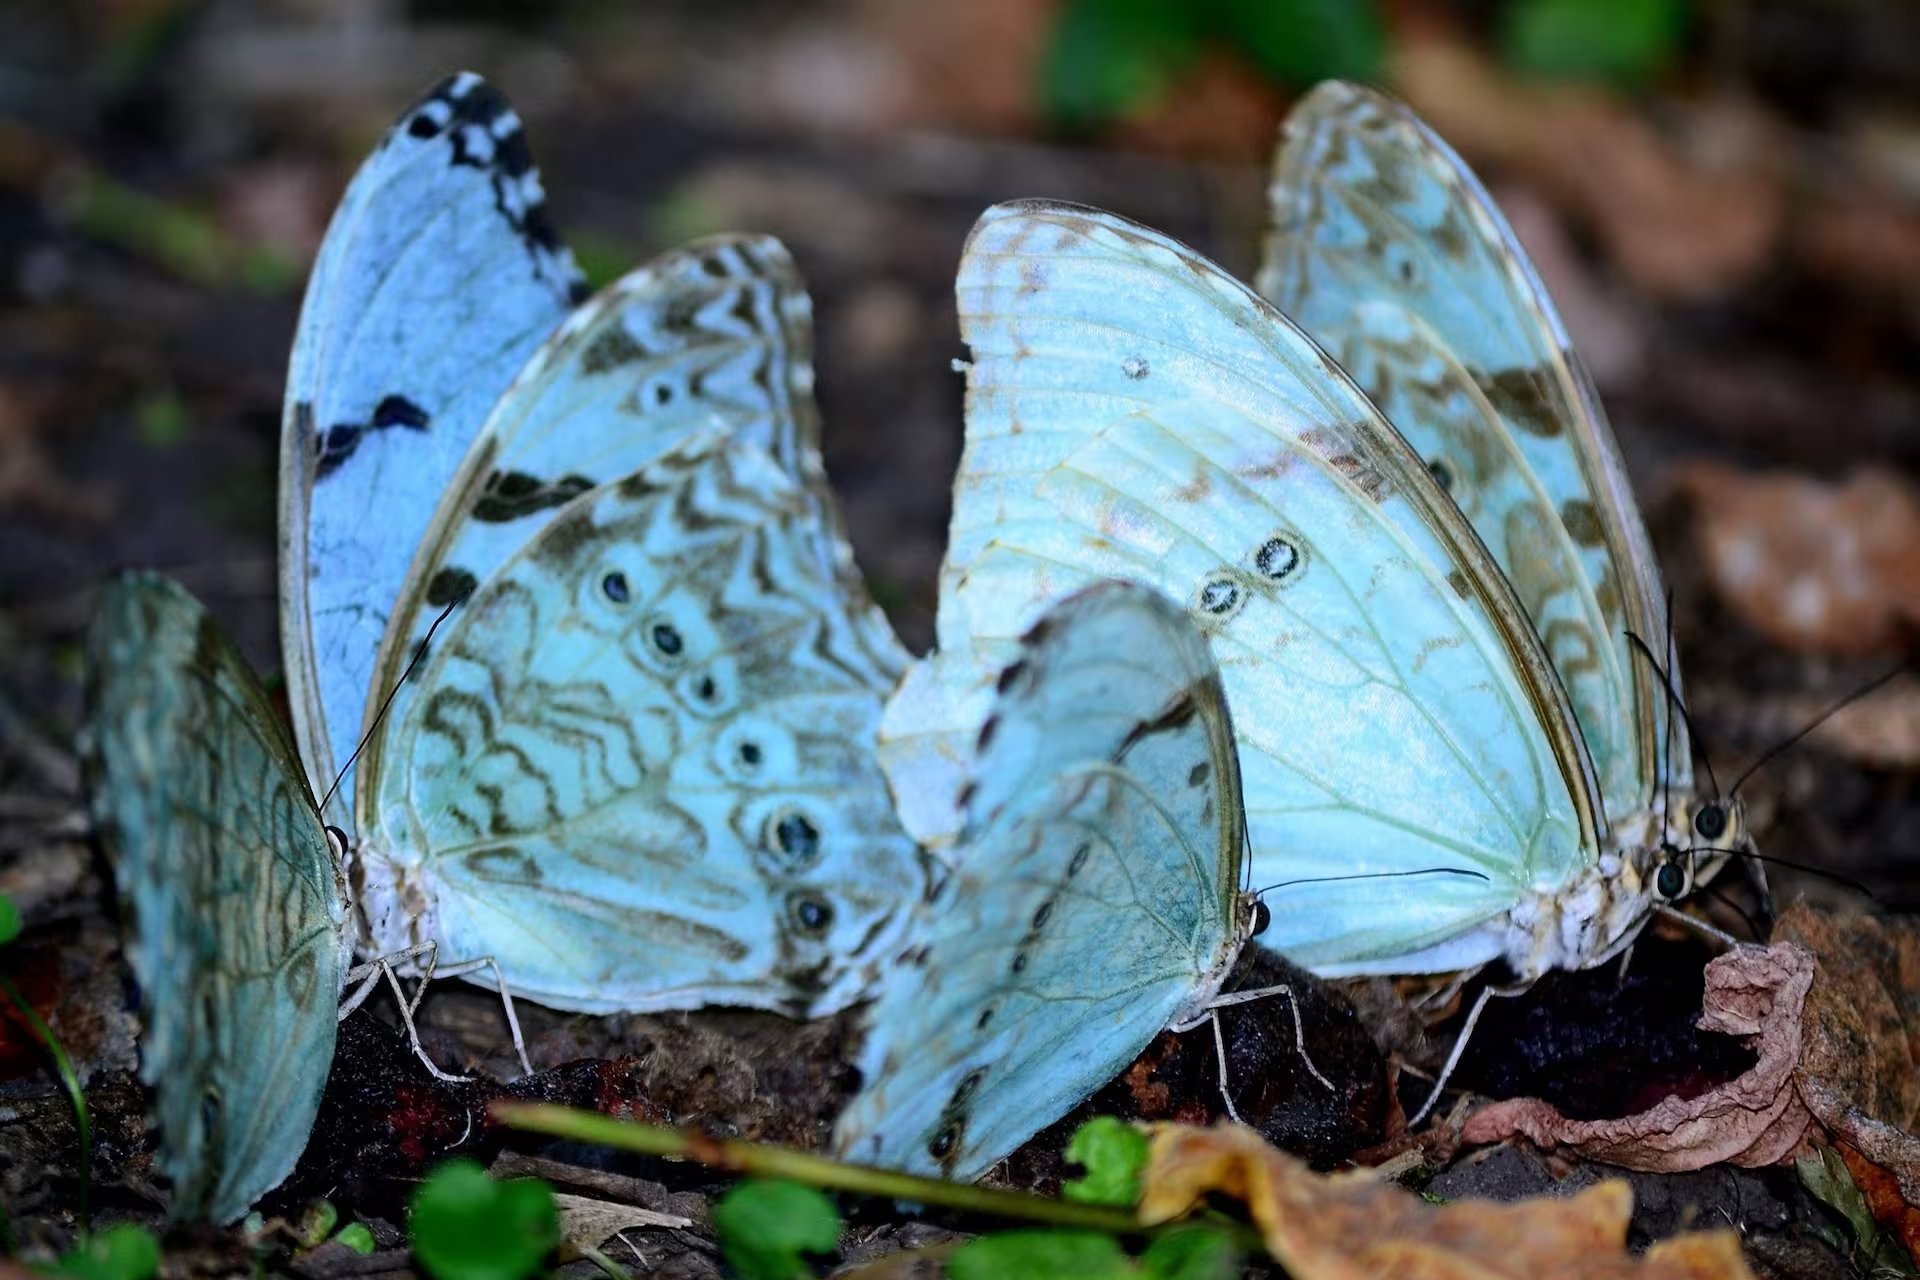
[[1092, 901]]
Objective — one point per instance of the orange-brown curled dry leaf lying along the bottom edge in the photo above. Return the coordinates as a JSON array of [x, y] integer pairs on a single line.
[[1353, 1225]]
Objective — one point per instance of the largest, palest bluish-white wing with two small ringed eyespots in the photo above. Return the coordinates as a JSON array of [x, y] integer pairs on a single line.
[[1136, 414]]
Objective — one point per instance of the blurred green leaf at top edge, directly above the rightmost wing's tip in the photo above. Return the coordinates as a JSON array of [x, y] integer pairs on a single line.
[[1303, 41]]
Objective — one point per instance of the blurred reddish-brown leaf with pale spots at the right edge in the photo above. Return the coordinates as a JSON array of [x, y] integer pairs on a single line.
[[1813, 565]]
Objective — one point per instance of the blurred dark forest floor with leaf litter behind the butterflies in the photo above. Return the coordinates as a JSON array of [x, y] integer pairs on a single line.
[[1721, 195]]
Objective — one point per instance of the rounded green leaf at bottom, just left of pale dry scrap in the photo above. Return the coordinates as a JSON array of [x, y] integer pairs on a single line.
[[468, 1227]]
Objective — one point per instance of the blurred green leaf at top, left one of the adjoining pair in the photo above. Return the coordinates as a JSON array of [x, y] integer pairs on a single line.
[[1111, 59]]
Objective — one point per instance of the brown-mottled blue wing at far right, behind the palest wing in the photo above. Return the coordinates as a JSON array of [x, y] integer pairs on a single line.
[[1397, 260]]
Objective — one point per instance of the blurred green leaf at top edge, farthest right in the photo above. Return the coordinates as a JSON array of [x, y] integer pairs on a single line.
[[1620, 41]]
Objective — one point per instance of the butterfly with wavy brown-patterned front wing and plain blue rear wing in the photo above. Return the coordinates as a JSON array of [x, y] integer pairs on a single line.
[[636, 765]]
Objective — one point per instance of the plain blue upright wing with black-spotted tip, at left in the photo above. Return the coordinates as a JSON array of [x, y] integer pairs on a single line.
[[437, 281]]
